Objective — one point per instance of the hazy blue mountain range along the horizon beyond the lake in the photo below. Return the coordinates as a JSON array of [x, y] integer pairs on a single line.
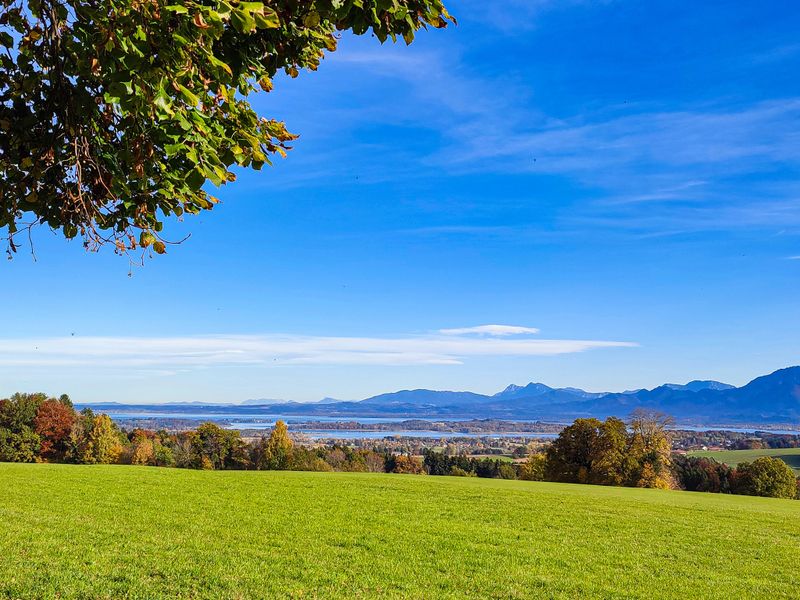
[[773, 398]]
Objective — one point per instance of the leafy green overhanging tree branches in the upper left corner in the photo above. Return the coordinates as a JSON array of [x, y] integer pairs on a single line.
[[115, 113]]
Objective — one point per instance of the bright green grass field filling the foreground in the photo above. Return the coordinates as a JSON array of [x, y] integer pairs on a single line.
[[114, 531]]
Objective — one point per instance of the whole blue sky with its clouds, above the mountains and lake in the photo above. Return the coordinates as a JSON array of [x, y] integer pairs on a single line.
[[616, 181]]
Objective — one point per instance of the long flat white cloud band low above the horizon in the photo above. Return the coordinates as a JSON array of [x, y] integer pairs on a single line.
[[169, 353]]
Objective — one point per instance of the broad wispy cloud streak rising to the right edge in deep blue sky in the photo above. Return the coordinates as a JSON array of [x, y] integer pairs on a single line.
[[596, 147]]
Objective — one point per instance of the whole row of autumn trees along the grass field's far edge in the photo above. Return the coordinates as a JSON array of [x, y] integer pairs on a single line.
[[37, 428]]
